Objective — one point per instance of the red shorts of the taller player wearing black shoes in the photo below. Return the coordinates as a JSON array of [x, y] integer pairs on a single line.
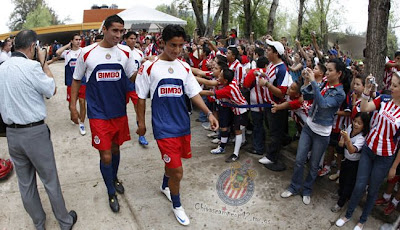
[[105, 132]]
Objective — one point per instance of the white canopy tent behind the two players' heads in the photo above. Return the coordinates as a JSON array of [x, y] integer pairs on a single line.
[[141, 17]]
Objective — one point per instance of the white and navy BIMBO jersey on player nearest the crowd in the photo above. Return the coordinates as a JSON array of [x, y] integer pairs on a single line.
[[167, 82]]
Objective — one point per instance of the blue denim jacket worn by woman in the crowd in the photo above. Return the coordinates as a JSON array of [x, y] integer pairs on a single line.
[[324, 107]]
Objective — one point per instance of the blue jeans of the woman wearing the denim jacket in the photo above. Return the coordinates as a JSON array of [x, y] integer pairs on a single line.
[[317, 144]]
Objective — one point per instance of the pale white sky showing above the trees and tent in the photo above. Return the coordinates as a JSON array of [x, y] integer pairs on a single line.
[[355, 12]]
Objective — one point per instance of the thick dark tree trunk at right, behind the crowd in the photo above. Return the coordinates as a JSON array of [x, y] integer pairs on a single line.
[[375, 53]]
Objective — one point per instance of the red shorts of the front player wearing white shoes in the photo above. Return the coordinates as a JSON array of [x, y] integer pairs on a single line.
[[173, 149]]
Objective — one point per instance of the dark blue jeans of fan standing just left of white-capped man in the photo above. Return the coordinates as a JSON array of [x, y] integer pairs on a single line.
[[258, 131]]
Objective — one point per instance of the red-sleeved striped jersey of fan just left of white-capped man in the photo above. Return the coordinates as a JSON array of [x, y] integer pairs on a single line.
[[256, 91]]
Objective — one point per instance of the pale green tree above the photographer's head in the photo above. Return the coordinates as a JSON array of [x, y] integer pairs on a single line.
[[40, 17]]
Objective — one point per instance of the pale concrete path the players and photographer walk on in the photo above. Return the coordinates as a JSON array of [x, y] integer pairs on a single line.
[[141, 171]]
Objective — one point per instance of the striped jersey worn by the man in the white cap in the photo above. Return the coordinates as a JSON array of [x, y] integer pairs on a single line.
[[278, 76]]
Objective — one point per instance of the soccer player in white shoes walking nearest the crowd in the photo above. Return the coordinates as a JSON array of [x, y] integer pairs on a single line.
[[168, 79]]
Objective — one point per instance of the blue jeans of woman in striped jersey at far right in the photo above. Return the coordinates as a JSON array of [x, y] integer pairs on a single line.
[[372, 168]]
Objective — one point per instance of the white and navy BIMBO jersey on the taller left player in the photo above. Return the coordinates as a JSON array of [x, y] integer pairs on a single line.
[[107, 71]]
